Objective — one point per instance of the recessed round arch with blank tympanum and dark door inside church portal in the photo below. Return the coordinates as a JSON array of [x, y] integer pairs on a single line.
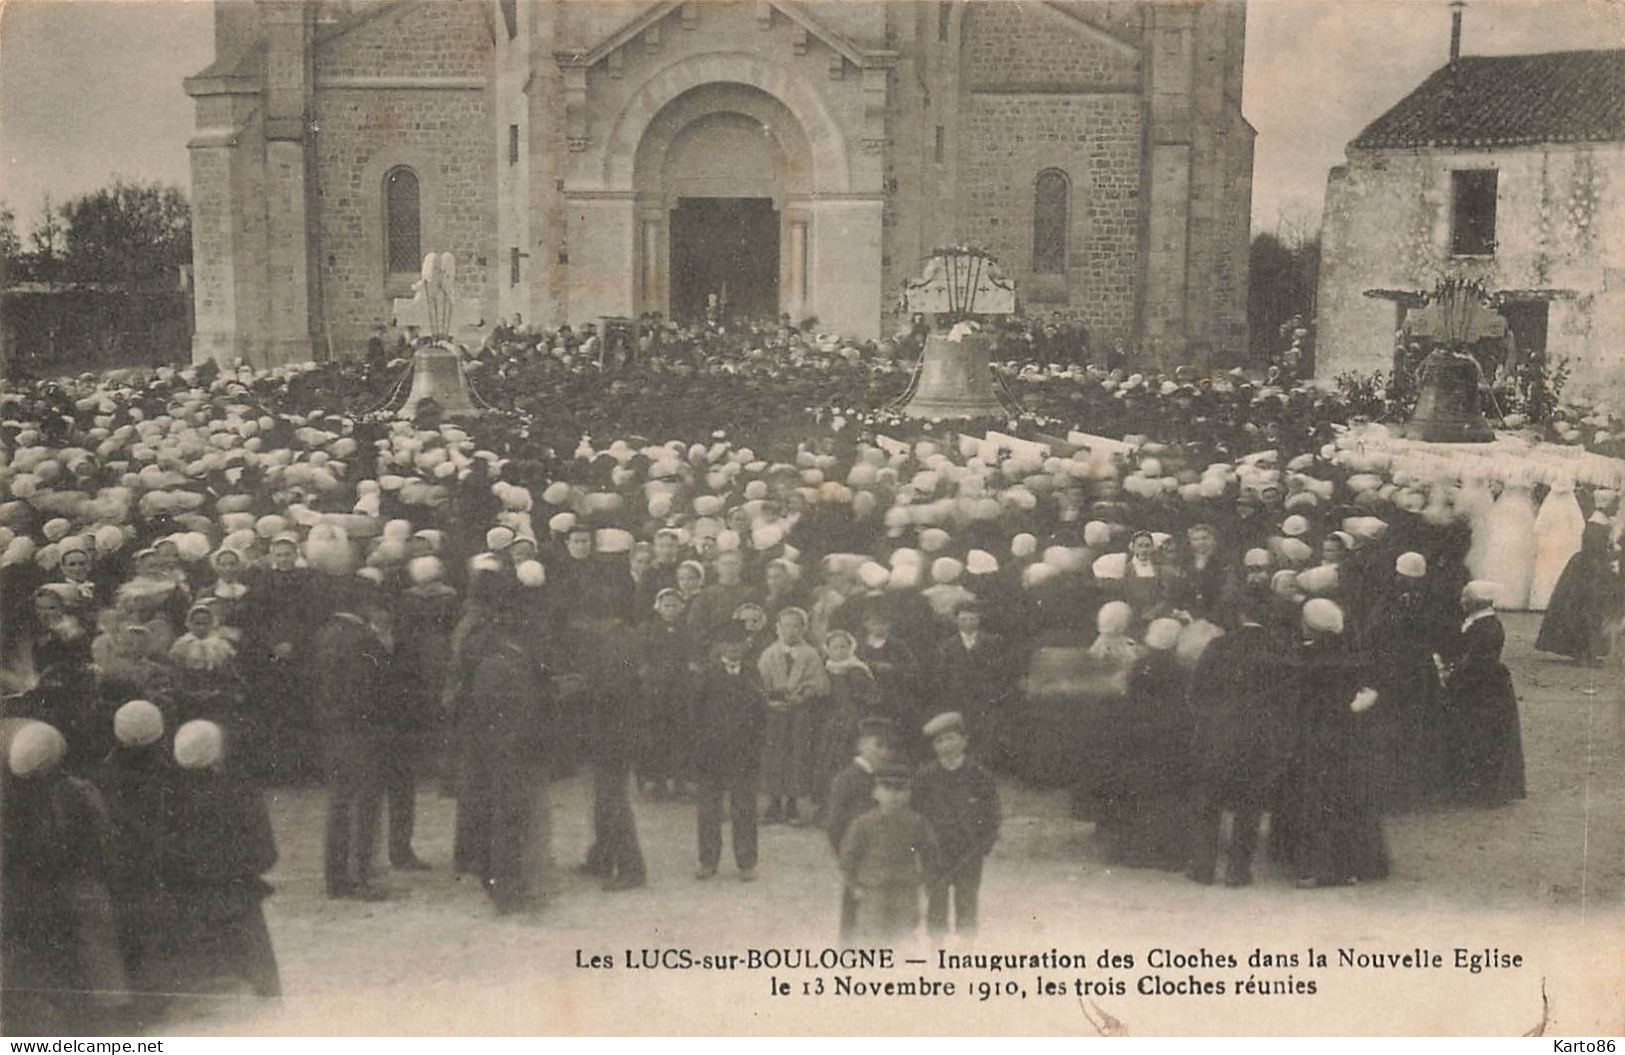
[[724, 178]]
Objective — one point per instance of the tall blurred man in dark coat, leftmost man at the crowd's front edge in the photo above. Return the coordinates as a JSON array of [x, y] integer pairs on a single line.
[[353, 674]]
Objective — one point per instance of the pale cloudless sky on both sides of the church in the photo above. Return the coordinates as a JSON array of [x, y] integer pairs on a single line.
[[92, 89]]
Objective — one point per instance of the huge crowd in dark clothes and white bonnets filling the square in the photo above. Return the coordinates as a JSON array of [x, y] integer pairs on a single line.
[[219, 581]]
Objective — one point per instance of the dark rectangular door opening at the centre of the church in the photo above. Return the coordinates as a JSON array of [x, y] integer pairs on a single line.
[[726, 248]]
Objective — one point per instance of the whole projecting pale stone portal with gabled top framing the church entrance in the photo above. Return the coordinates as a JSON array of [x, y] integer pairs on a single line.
[[724, 129]]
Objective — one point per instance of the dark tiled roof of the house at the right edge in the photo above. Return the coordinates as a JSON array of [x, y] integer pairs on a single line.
[[1509, 100]]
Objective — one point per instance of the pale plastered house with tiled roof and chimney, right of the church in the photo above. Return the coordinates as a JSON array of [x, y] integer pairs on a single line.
[[1509, 170]]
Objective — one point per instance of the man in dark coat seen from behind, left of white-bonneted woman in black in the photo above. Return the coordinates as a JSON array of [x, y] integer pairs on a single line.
[[1237, 745]]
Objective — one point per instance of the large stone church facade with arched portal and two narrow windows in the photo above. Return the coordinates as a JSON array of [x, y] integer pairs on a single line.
[[589, 158]]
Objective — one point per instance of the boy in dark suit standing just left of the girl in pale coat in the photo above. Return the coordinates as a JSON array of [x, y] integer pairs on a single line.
[[727, 727]]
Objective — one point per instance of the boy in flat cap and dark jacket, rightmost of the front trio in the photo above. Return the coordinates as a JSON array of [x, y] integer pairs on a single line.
[[958, 797]]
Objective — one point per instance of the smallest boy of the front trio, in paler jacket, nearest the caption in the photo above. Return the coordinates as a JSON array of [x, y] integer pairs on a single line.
[[888, 854]]
